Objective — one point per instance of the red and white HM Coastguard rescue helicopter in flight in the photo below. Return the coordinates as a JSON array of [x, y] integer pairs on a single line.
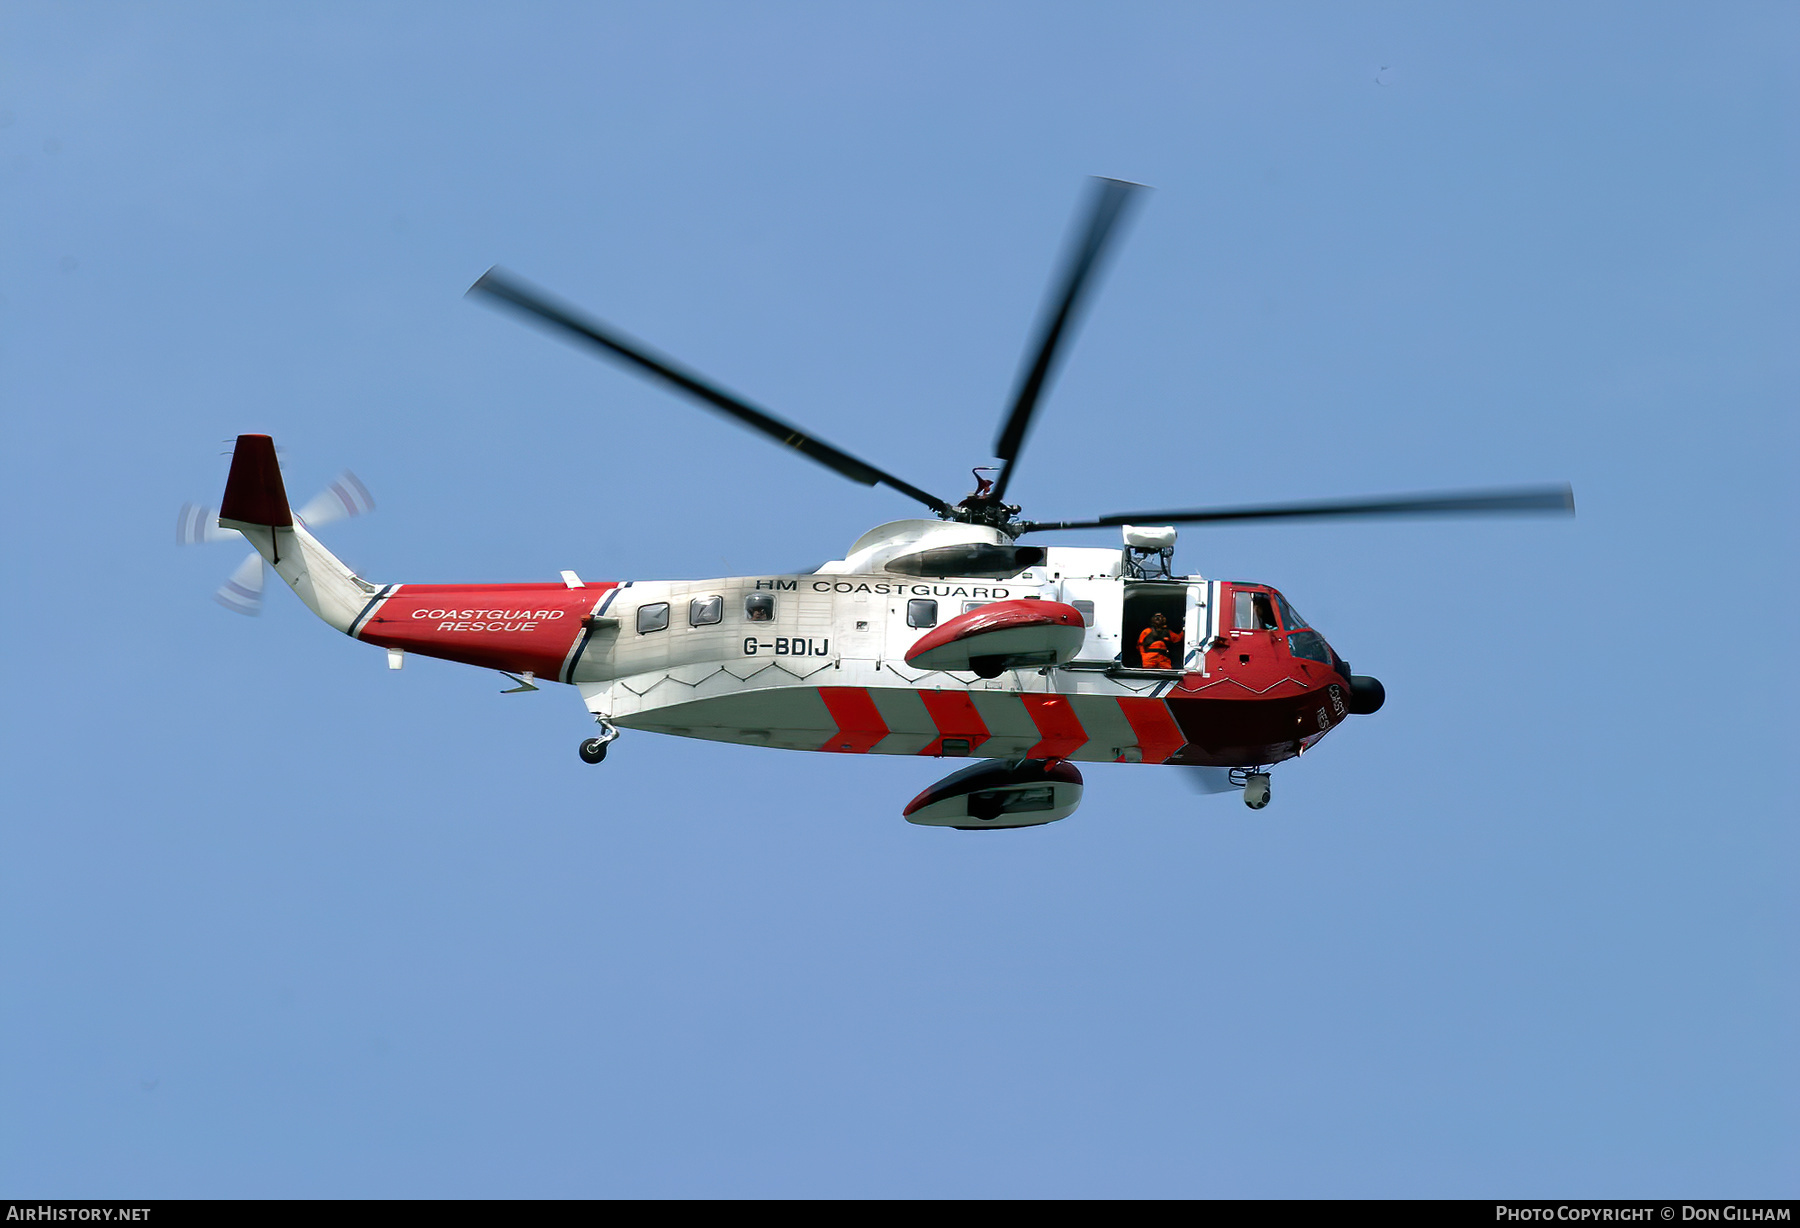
[[939, 637]]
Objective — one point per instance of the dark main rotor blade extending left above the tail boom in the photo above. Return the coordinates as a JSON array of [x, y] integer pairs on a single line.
[[633, 352]]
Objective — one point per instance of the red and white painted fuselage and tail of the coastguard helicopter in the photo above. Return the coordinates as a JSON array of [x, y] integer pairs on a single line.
[[861, 662]]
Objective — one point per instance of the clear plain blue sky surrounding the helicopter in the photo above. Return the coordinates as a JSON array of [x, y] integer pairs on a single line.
[[280, 923]]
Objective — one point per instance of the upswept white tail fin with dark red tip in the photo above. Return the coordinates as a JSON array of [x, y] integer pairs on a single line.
[[256, 505]]
